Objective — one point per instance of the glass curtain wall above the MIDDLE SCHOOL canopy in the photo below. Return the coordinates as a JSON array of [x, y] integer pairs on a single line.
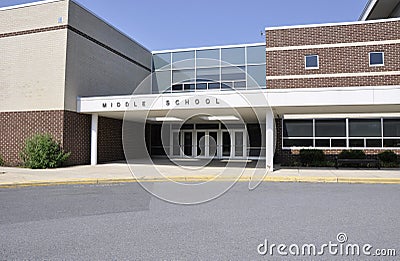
[[224, 68]]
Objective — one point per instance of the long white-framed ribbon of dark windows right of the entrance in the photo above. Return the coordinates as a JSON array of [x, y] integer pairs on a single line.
[[342, 133]]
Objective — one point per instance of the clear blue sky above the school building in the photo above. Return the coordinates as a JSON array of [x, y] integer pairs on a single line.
[[175, 24]]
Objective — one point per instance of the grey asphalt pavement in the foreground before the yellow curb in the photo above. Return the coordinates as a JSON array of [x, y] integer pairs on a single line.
[[122, 221]]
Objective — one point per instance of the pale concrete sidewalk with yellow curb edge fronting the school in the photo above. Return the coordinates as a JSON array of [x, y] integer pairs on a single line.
[[120, 172]]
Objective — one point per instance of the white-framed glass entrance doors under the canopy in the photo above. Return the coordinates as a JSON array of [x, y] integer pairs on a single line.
[[210, 144]]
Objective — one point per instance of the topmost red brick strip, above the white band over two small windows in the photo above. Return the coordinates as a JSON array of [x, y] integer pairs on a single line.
[[364, 32]]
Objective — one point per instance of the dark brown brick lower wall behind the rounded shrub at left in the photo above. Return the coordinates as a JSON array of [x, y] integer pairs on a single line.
[[71, 129]]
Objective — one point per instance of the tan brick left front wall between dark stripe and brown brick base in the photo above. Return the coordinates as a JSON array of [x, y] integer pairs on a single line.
[[32, 71]]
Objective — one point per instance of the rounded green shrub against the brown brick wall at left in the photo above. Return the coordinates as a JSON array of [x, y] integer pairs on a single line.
[[41, 152]]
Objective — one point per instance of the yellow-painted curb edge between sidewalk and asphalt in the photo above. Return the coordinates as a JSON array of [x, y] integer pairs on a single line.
[[293, 179]]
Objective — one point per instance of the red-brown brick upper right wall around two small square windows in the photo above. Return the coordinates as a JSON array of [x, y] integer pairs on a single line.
[[286, 67]]
